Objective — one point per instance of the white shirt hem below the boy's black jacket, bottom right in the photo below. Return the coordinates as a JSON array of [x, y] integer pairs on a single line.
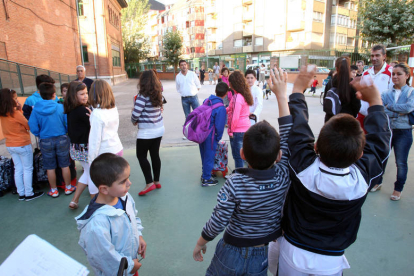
[[311, 263]]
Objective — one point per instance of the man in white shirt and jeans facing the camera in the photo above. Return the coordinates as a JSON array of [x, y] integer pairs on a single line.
[[188, 85]]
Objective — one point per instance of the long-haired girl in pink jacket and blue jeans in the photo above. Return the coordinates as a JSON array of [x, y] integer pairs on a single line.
[[238, 114]]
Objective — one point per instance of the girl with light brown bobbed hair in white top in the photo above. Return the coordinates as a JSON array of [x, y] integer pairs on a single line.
[[104, 120]]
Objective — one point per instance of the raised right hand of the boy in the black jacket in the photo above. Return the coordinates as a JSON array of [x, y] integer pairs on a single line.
[[367, 91]]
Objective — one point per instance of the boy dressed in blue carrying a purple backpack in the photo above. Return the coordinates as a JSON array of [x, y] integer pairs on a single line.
[[208, 147]]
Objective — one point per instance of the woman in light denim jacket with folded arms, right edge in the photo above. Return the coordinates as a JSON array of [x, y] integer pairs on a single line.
[[398, 102]]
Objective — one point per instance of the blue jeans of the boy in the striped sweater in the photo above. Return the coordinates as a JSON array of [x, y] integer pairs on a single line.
[[232, 260]]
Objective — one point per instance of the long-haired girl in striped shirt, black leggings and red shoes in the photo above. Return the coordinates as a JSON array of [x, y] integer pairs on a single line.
[[147, 115]]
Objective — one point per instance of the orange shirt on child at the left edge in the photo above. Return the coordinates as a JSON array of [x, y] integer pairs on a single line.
[[15, 129]]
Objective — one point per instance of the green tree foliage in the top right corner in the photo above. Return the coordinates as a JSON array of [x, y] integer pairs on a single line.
[[390, 22]]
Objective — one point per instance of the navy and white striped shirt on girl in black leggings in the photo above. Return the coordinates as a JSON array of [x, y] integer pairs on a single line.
[[145, 114]]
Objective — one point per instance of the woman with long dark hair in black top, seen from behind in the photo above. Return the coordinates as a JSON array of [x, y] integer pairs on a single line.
[[347, 94]]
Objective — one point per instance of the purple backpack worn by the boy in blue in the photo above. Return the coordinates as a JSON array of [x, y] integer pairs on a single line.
[[197, 125]]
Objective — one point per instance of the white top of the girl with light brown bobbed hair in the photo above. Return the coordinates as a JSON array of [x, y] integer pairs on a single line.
[[103, 136]]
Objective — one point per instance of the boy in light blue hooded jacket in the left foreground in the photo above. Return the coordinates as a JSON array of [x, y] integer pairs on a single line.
[[109, 228]]
